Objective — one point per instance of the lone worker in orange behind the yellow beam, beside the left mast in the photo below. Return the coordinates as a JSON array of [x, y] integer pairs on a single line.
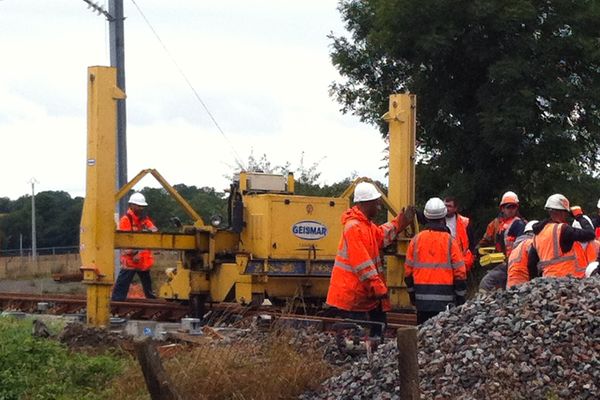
[[135, 261]]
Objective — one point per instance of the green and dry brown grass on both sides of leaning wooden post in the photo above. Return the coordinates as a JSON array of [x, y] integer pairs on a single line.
[[250, 368]]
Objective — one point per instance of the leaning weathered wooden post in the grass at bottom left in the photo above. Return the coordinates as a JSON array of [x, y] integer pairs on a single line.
[[157, 380]]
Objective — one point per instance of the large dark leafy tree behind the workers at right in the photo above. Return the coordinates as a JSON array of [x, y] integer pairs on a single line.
[[508, 91]]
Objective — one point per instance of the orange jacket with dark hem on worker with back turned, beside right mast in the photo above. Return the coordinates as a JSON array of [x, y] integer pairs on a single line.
[[434, 270]]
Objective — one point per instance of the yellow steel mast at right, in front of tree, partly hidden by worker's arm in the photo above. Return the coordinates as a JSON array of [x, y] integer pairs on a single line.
[[401, 119]]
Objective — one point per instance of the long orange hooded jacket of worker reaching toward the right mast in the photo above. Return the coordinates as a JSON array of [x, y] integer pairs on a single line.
[[357, 281]]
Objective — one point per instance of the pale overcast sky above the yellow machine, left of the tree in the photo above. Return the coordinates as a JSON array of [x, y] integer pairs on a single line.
[[261, 66]]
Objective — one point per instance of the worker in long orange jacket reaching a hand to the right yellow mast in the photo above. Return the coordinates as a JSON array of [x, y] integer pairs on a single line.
[[357, 288]]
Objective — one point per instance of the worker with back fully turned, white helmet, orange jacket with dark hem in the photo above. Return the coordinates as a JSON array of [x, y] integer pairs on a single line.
[[434, 272]]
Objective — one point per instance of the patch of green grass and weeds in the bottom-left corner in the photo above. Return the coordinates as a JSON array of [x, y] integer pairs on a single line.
[[32, 368]]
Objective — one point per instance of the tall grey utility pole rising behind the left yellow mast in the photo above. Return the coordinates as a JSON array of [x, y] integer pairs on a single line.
[[117, 60]]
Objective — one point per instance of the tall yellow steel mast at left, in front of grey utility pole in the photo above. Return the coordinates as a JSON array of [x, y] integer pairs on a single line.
[[97, 237]]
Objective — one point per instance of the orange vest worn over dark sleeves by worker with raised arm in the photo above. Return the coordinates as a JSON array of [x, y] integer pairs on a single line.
[[553, 262]]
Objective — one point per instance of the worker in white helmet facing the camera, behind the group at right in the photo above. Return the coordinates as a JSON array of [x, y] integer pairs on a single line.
[[506, 228]]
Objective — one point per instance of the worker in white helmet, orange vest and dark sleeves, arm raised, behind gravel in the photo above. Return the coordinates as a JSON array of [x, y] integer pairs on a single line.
[[552, 253]]
